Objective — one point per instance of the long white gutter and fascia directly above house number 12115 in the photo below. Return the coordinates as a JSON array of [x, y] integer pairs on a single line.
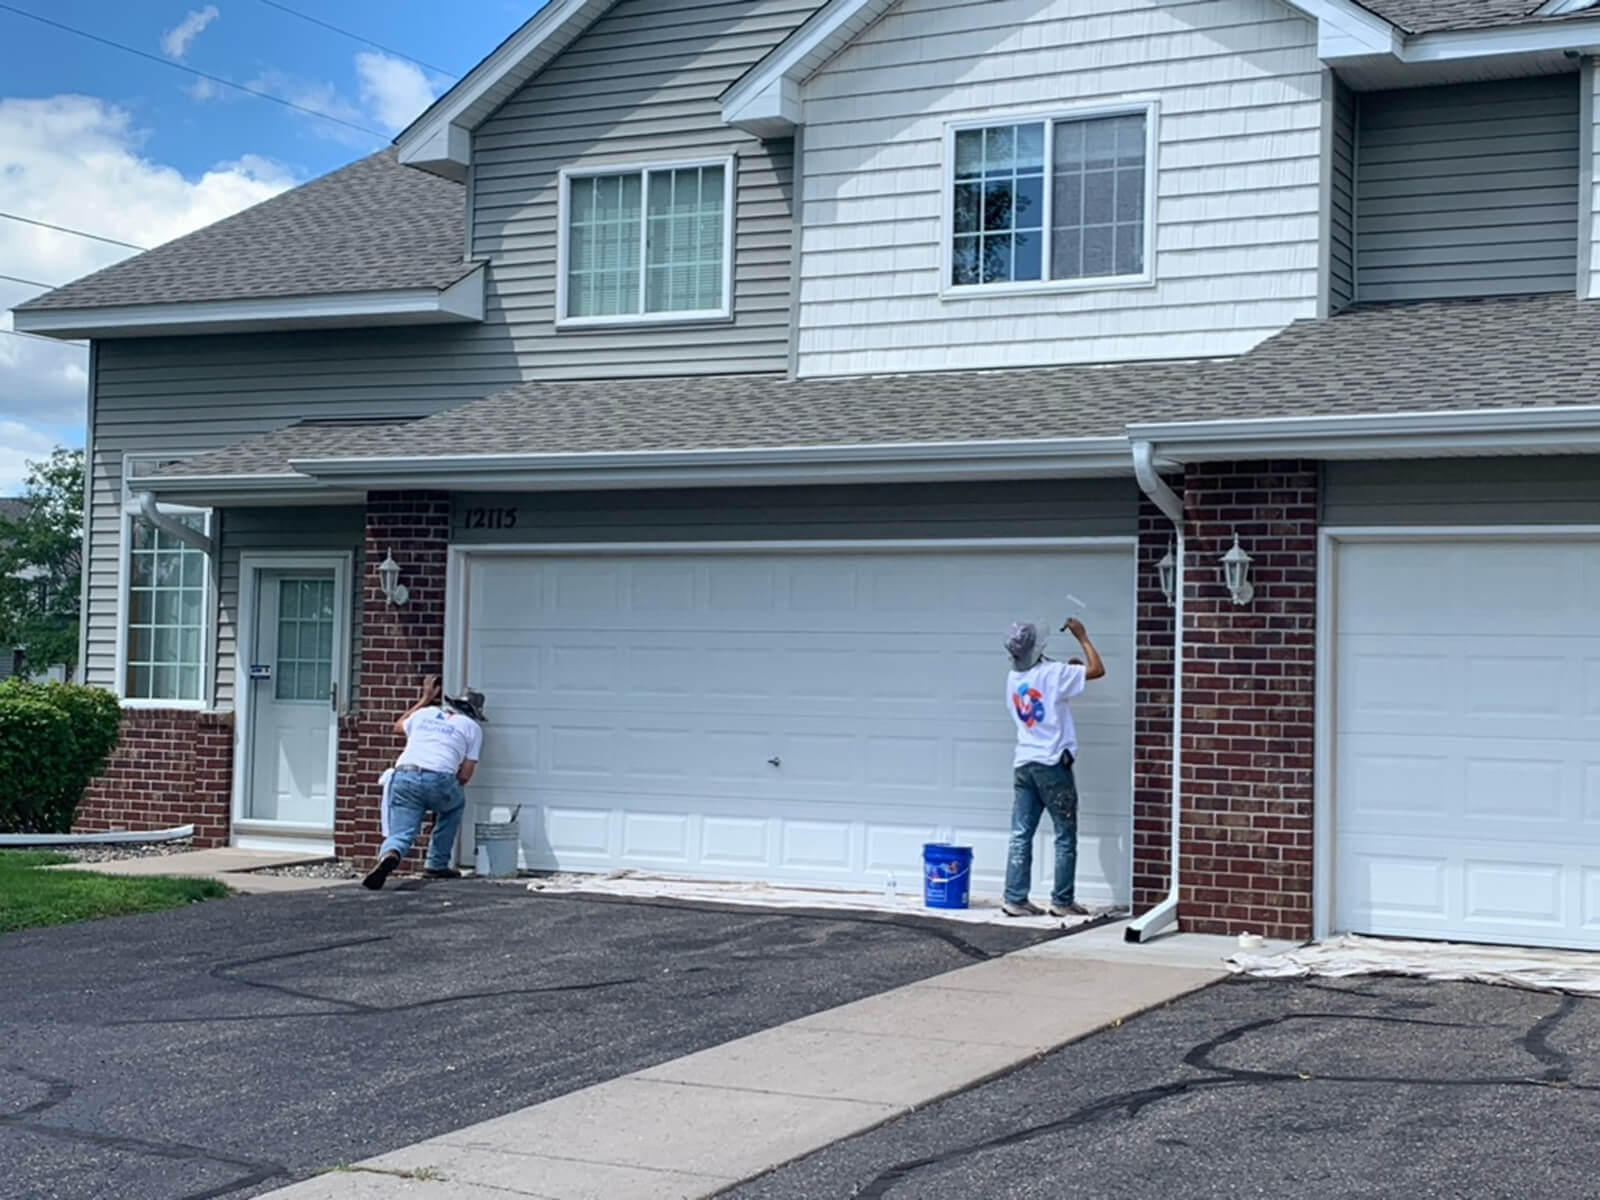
[[1046, 458]]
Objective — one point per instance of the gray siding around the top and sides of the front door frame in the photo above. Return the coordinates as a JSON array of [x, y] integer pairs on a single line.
[[278, 530]]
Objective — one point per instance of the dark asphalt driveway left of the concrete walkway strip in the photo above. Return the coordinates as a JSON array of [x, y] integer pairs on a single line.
[[226, 1049]]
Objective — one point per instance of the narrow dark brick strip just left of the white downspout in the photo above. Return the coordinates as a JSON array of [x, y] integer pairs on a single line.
[[1153, 714]]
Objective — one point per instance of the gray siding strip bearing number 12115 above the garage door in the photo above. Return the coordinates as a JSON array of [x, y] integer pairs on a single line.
[[1044, 510]]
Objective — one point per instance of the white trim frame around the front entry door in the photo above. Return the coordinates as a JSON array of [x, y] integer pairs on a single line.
[[250, 567]]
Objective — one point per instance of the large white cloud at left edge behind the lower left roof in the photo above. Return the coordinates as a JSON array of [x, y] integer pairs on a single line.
[[74, 161]]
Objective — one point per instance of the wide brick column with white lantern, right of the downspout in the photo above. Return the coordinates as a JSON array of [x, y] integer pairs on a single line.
[[1250, 702]]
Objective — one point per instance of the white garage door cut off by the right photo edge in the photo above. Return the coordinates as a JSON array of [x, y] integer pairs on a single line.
[[1468, 746]]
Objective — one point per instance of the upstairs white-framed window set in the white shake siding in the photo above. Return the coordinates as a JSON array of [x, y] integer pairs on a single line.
[[1052, 201]]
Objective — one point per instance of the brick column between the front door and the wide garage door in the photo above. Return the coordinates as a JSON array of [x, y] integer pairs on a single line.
[[399, 647]]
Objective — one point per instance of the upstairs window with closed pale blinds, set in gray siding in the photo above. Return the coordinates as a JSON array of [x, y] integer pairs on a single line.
[[647, 244]]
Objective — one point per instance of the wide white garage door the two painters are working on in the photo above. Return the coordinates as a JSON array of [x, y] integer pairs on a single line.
[[799, 718]]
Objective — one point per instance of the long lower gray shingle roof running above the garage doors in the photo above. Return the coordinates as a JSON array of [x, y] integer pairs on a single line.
[[1436, 356]]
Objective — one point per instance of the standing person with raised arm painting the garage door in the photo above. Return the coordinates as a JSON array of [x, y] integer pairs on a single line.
[[1039, 697]]
